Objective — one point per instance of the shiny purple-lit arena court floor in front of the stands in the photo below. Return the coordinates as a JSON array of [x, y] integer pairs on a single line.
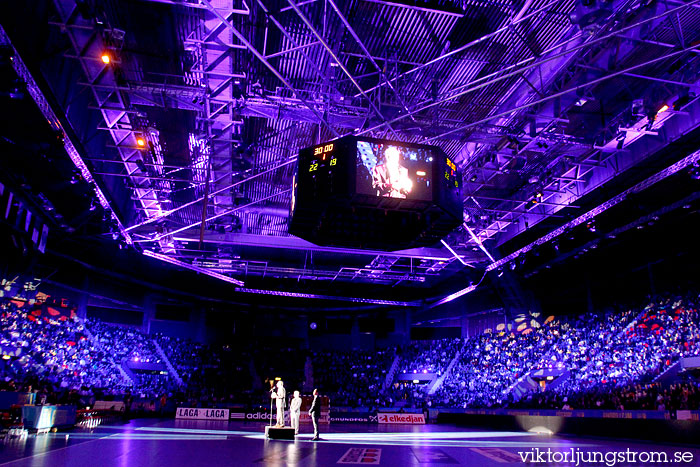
[[180, 443]]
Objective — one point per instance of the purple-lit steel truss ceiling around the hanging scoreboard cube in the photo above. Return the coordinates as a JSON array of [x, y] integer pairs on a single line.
[[538, 111]]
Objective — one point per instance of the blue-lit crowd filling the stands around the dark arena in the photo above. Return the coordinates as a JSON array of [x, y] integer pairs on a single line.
[[611, 360]]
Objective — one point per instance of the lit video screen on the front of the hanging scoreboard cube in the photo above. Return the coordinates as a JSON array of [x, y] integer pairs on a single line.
[[391, 170]]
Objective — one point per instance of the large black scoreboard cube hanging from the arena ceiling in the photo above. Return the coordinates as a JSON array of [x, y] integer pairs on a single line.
[[373, 193]]
